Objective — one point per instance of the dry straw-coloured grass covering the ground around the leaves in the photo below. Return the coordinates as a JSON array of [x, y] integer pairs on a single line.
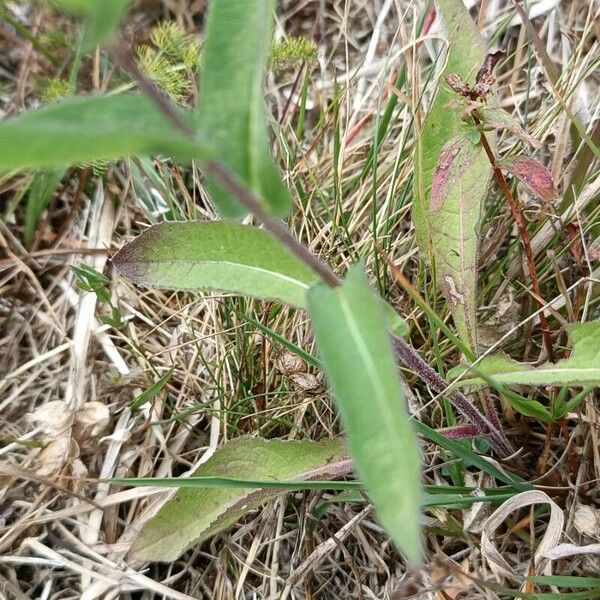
[[68, 381]]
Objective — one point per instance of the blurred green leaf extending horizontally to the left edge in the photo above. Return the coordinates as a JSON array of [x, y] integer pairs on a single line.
[[89, 128]]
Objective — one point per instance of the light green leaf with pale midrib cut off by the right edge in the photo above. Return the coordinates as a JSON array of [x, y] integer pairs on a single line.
[[581, 368]]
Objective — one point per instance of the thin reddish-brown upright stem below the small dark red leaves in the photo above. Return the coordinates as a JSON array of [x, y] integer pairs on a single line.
[[517, 214]]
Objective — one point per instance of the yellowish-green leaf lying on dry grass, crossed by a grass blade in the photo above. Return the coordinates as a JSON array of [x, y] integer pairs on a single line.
[[195, 515]]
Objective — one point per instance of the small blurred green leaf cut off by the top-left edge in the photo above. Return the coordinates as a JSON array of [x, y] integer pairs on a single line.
[[102, 17]]
